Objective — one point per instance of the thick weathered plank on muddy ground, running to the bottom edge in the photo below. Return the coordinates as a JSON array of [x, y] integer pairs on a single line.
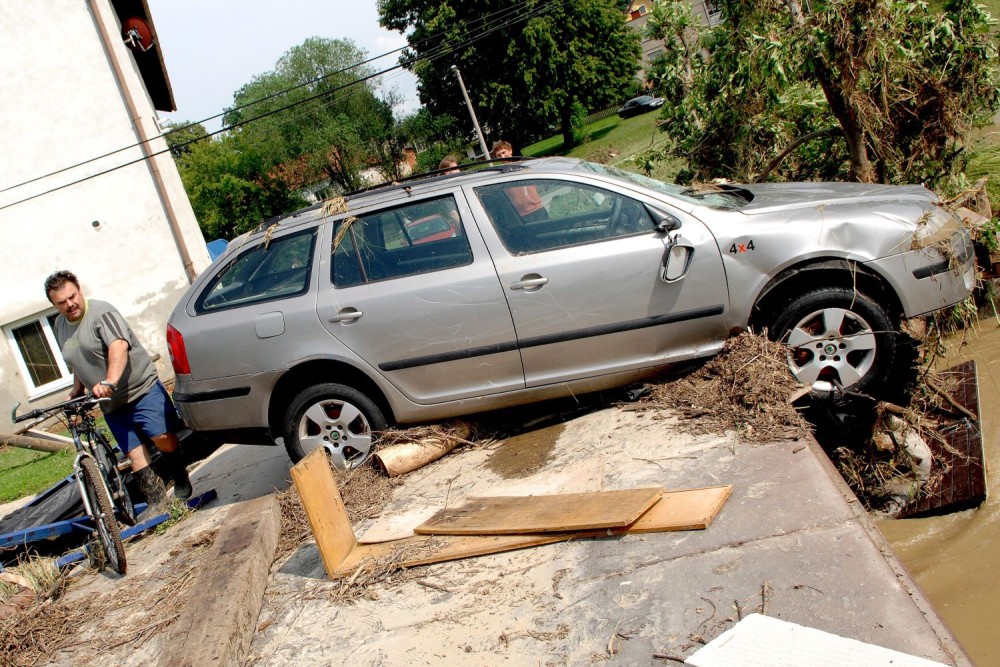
[[218, 622]]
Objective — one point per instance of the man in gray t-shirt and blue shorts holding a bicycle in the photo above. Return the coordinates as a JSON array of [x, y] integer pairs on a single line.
[[108, 360]]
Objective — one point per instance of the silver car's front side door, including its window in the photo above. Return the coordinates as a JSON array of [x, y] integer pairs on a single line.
[[584, 280]]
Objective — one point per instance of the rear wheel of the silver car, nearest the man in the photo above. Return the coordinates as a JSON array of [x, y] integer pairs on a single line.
[[334, 416]]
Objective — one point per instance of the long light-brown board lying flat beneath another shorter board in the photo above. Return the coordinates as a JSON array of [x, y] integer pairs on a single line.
[[678, 510]]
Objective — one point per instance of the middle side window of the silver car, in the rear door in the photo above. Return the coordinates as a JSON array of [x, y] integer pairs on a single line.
[[402, 241]]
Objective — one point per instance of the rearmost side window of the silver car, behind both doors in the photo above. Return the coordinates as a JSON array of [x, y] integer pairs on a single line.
[[272, 269]]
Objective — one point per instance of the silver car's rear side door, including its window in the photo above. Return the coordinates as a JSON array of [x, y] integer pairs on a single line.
[[427, 312]]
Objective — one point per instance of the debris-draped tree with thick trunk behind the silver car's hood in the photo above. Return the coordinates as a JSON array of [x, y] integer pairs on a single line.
[[882, 90]]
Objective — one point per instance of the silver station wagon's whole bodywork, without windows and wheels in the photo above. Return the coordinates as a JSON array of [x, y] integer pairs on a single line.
[[593, 316]]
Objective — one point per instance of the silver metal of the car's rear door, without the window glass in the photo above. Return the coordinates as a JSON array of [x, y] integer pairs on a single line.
[[419, 332]]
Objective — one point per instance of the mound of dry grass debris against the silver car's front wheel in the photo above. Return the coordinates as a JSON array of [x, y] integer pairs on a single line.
[[745, 388]]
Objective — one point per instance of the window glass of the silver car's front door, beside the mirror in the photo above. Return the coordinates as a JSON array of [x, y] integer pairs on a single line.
[[538, 215]]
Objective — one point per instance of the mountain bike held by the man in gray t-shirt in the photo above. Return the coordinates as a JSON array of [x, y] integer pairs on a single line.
[[99, 480]]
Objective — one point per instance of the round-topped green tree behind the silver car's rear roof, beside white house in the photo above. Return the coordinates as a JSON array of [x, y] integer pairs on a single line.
[[319, 113]]
